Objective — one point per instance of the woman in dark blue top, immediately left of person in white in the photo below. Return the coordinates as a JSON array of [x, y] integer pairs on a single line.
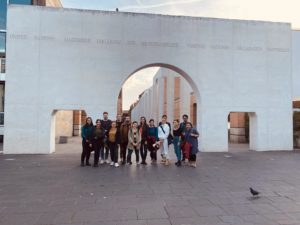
[[152, 140]]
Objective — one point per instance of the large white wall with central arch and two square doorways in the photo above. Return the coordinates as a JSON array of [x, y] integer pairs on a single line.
[[79, 59]]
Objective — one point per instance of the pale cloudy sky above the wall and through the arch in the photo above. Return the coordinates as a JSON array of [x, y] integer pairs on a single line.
[[269, 10]]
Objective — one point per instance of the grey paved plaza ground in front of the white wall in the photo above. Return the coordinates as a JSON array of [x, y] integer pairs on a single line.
[[54, 189]]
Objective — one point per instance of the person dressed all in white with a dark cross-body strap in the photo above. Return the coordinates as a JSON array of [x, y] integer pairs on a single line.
[[163, 133]]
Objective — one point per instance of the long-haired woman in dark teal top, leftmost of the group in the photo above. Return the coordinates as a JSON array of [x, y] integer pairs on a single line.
[[86, 133]]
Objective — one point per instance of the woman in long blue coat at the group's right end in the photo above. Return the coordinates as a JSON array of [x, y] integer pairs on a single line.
[[191, 136]]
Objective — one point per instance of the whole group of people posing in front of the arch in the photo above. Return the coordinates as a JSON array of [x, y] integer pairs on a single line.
[[106, 137]]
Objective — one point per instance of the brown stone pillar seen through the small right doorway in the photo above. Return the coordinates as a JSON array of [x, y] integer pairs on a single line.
[[237, 132]]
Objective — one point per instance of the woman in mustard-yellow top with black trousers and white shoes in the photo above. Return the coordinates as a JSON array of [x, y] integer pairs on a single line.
[[113, 141]]
